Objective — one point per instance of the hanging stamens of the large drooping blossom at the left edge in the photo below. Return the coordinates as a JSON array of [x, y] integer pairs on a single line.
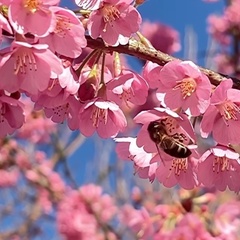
[[24, 59]]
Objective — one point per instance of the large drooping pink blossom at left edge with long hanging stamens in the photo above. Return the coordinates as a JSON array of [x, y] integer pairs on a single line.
[[27, 67]]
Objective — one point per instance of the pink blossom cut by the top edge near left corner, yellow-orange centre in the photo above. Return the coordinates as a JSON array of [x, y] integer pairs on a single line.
[[25, 16]]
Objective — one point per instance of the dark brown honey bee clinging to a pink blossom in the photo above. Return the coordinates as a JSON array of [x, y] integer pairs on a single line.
[[170, 144]]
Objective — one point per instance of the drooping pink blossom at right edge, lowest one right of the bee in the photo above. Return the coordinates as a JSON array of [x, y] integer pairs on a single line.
[[219, 167]]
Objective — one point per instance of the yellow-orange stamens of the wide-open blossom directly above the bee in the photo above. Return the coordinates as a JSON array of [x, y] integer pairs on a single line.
[[187, 86]]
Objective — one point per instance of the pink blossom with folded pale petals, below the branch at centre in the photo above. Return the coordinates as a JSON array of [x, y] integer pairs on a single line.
[[128, 87]]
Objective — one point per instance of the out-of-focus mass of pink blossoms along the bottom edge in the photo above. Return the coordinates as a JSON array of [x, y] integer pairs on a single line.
[[88, 213]]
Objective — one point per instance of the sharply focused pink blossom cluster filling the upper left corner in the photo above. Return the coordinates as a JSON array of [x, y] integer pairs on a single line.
[[44, 63]]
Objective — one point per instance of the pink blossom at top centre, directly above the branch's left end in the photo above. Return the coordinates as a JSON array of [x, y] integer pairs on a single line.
[[114, 22]]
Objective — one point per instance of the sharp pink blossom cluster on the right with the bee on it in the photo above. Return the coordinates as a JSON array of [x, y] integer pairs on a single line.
[[169, 154]]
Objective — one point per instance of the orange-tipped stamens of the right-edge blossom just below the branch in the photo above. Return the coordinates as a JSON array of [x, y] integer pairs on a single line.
[[229, 111]]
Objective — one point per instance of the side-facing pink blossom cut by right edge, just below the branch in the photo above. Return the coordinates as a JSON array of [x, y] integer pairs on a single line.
[[222, 117]]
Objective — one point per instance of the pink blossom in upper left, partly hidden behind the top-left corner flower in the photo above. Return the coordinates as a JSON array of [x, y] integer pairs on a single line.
[[67, 38]]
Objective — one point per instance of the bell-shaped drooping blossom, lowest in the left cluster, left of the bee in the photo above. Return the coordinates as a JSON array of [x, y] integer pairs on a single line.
[[101, 115]]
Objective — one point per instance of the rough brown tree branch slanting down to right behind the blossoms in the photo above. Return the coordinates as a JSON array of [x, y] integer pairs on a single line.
[[136, 49]]
